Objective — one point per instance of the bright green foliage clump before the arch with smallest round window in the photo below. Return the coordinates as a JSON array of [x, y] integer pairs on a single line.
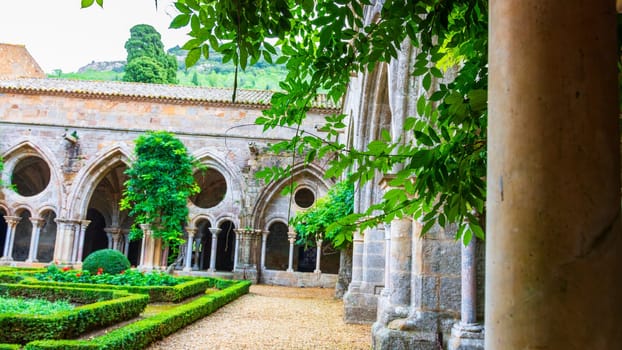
[[322, 220]]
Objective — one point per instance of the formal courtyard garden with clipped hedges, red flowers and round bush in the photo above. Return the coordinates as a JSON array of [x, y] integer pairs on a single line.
[[105, 305]]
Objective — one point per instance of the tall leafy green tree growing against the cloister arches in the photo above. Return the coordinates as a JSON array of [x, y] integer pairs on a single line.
[[159, 184]]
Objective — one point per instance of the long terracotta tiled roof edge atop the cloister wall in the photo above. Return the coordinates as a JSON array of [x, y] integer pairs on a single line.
[[160, 92]]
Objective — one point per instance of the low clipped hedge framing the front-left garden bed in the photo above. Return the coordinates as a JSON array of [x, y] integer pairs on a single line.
[[21, 329]]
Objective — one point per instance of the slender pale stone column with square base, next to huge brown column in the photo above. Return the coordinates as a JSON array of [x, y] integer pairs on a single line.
[[468, 333]]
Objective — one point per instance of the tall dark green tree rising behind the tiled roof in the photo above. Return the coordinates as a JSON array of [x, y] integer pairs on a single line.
[[146, 60]]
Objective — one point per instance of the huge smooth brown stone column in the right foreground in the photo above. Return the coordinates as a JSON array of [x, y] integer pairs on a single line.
[[554, 243]]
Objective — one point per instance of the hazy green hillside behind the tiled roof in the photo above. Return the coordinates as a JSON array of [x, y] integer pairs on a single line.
[[209, 73]]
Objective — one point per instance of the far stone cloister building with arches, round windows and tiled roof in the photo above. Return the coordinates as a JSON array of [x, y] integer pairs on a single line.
[[66, 145]]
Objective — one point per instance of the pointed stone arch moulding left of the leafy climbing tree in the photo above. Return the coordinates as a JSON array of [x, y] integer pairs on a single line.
[[91, 174]]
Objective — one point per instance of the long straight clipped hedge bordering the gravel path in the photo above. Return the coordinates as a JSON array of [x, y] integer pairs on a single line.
[[144, 332]]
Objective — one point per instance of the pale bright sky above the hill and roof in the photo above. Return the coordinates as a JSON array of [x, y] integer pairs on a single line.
[[61, 35]]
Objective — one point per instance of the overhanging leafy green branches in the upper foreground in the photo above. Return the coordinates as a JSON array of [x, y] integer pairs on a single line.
[[323, 43]]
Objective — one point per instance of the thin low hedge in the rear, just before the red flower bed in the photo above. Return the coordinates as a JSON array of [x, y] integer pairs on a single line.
[[175, 294]]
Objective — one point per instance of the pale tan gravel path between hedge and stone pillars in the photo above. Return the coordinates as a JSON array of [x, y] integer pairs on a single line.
[[272, 317]]
